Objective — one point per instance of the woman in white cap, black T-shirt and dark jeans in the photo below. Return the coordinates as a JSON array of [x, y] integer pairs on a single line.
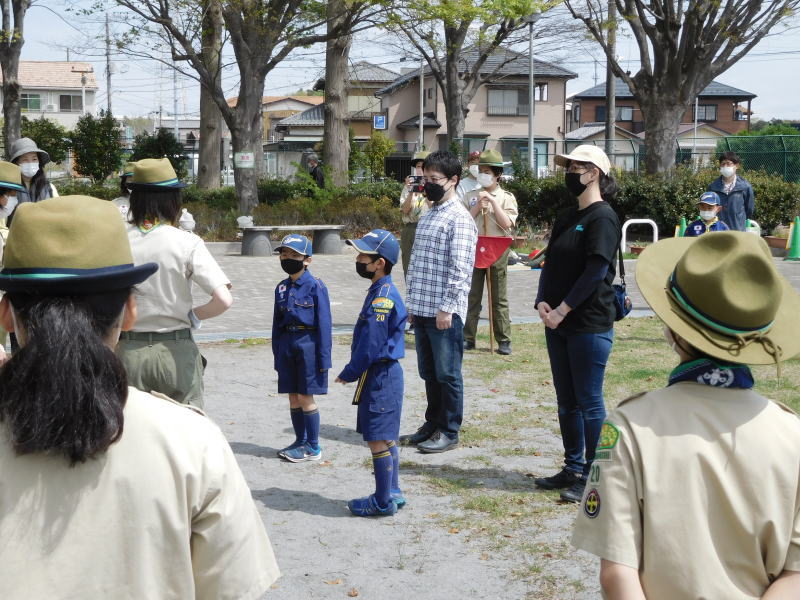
[[576, 303]]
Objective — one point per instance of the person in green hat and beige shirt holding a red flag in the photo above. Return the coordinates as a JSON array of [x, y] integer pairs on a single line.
[[500, 208]]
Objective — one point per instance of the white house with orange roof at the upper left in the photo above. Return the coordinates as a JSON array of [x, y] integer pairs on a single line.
[[56, 90]]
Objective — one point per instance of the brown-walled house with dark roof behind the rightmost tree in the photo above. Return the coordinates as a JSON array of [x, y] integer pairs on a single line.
[[724, 107]]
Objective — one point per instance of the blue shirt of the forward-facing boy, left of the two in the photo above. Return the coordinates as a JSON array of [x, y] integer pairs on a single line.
[[303, 304]]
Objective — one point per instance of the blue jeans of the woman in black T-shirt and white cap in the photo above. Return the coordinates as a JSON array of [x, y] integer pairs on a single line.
[[578, 363]]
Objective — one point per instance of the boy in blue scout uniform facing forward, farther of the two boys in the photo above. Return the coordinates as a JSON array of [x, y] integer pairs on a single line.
[[301, 344]]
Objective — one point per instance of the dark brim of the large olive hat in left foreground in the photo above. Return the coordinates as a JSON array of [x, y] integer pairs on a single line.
[[80, 284]]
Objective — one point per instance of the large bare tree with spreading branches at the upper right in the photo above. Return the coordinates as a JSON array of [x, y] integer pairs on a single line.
[[683, 45]]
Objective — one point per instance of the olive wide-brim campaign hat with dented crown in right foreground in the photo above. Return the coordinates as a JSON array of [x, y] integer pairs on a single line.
[[722, 294]]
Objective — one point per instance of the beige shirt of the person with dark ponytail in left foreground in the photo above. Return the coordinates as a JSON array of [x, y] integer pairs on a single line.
[[165, 513]]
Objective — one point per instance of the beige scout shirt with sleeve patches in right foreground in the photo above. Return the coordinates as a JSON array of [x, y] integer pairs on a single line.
[[698, 488]]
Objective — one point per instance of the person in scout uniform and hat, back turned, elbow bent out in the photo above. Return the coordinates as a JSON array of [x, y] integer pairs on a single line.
[[160, 353]]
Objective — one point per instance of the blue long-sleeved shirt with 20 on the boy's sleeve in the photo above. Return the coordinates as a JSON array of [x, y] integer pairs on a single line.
[[378, 334]]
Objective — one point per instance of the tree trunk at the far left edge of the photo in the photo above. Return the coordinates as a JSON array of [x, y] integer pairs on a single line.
[[10, 47]]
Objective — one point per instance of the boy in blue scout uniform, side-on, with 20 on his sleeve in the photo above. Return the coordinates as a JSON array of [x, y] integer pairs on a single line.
[[377, 345]]
